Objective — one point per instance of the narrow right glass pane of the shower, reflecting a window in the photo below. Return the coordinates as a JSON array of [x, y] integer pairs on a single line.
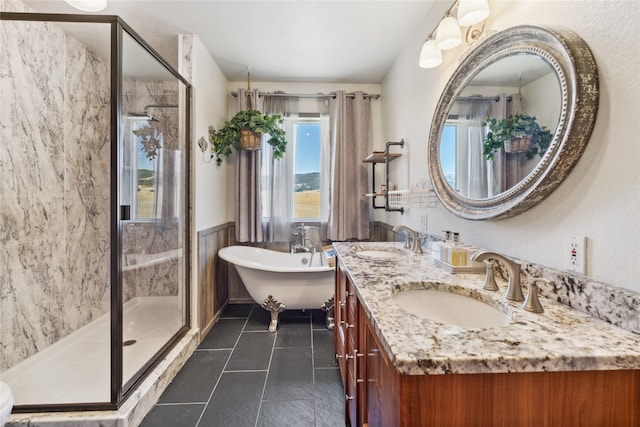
[[153, 200]]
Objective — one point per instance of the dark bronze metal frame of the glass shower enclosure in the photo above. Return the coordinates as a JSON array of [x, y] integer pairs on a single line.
[[119, 391]]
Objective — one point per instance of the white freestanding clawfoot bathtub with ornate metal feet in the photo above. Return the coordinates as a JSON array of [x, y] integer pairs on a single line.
[[281, 280]]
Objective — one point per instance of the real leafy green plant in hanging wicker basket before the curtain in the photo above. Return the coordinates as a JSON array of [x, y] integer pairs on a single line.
[[245, 130]]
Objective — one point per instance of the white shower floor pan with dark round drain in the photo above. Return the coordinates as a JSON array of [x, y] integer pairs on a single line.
[[77, 368]]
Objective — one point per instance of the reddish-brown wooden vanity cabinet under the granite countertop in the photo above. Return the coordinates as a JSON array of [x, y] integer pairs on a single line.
[[379, 396]]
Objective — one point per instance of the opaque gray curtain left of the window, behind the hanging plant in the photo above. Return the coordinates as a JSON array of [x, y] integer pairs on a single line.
[[248, 216]]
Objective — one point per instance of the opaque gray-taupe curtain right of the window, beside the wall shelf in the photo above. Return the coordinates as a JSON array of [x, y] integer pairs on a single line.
[[349, 143]]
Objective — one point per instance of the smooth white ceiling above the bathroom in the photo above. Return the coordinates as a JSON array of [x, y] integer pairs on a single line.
[[348, 41]]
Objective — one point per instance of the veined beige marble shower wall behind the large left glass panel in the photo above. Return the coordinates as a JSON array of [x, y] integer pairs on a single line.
[[54, 186]]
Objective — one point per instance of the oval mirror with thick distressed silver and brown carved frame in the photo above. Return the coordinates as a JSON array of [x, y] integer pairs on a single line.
[[512, 121]]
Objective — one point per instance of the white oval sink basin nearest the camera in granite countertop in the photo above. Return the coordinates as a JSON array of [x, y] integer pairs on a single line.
[[450, 308]]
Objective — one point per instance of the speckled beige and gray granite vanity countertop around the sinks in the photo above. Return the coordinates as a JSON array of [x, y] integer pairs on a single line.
[[559, 339]]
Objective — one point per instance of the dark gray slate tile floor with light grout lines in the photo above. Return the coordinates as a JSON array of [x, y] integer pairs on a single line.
[[243, 375]]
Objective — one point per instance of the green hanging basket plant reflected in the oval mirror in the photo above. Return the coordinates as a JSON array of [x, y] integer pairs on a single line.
[[519, 133]]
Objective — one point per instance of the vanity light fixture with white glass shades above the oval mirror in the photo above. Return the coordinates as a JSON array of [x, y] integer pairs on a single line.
[[448, 33]]
